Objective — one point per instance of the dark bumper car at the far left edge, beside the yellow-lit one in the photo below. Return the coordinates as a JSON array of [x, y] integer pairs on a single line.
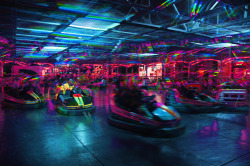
[[25, 99]]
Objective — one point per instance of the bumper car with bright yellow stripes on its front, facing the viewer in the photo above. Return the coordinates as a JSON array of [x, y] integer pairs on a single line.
[[74, 102]]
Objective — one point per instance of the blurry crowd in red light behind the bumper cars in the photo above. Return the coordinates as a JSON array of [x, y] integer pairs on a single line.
[[24, 83]]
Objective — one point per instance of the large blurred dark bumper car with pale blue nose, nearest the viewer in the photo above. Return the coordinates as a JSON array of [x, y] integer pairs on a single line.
[[158, 120]]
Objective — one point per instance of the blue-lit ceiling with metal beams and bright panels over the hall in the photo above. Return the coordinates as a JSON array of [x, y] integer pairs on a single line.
[[84, 31]]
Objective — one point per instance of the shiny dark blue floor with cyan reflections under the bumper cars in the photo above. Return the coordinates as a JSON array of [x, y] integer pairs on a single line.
[[43, 137]]
